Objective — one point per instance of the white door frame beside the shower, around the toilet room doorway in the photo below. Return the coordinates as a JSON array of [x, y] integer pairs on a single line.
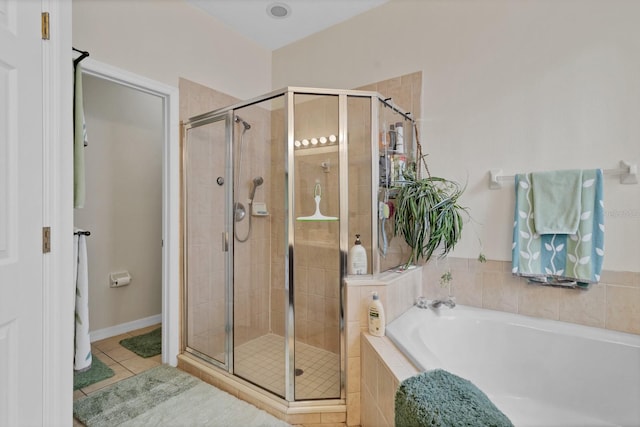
[[170, 195]]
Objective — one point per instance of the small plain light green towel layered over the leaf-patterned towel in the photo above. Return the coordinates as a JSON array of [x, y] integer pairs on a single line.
[[556, 201]]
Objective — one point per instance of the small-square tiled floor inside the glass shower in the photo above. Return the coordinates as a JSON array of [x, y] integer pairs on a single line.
[[261, 361]]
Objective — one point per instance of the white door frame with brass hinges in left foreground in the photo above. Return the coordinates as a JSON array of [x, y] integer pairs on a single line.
[[57, 204]]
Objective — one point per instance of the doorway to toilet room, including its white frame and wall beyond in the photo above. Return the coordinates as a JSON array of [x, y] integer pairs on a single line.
[[153, 172]]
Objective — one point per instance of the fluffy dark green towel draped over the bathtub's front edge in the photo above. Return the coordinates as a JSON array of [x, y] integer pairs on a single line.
[[440, 398]]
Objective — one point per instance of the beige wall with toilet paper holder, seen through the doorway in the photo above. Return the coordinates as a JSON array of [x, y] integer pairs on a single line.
[[123, 209]]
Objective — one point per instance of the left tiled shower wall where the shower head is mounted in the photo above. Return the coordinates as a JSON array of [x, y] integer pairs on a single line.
[[251, 294]]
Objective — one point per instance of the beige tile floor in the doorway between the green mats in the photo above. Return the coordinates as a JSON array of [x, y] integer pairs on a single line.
[[124, 363]]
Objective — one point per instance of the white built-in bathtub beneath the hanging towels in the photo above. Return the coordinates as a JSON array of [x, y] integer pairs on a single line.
[[538, 372]]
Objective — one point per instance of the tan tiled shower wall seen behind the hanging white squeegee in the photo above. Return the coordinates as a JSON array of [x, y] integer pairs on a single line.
[[316, 254]]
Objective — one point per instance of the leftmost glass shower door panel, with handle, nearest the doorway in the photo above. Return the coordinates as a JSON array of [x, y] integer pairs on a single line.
[[206, 187]]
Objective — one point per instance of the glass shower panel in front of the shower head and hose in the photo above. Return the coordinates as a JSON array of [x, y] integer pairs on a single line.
[[258, 246]]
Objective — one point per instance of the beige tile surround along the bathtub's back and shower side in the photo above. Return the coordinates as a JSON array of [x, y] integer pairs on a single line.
[[612, 304]]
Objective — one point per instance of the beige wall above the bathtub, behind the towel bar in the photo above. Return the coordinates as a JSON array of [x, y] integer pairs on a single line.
[[518, 85]]
